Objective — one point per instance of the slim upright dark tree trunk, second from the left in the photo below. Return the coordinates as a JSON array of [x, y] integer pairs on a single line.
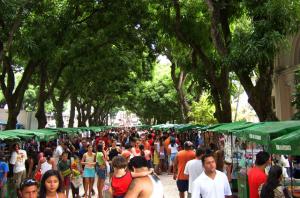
[[43, 95]]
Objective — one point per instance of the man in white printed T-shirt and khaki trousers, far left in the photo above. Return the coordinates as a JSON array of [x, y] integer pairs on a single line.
[[18, 159]]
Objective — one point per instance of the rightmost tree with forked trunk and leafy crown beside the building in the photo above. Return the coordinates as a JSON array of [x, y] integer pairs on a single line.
[[259, 34]]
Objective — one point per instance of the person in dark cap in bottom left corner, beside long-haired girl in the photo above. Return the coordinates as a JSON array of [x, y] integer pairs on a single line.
[[28, 188]]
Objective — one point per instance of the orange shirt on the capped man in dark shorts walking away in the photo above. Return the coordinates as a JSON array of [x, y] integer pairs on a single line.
[[182, 158]]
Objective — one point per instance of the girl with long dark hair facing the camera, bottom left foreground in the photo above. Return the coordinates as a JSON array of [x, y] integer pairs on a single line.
[[51, 185]]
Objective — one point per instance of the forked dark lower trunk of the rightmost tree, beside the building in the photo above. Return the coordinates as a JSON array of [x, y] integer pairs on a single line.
[[260, 95]]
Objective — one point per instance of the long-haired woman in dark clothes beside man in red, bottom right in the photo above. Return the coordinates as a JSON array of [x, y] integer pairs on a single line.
[[272, 188]]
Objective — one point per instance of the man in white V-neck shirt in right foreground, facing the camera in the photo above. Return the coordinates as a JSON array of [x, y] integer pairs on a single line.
[[211, 183]]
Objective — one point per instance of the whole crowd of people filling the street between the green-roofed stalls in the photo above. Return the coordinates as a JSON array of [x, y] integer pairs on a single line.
[[131, 161]]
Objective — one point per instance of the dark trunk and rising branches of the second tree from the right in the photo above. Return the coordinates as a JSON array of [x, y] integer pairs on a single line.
[[217, 77]]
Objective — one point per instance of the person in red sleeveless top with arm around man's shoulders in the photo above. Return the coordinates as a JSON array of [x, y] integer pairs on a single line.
[[122, 178]]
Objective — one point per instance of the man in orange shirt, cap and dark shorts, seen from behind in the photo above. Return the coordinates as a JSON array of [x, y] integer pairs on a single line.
[[180, 162]]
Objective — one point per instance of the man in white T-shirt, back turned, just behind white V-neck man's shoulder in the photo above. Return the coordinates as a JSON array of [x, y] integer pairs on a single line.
[[194, 168]]
